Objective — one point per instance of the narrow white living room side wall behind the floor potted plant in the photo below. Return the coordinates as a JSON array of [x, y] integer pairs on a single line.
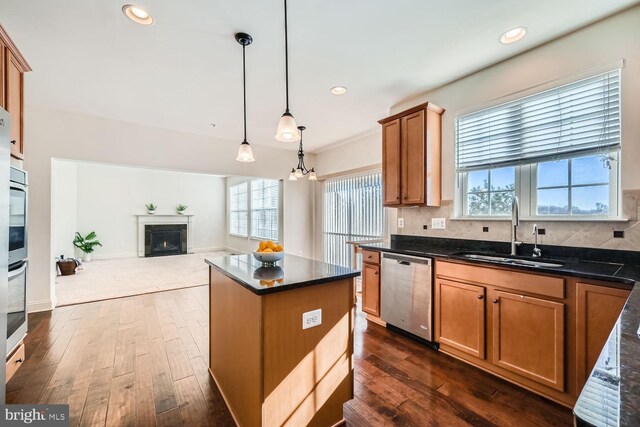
[[64, 207]]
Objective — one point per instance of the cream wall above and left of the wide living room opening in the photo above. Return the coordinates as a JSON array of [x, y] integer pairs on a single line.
[[53, 134]]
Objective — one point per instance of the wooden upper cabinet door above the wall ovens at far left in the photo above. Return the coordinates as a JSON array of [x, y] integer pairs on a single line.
[[14, 103]]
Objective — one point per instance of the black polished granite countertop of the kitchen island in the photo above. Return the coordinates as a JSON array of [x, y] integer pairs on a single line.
[[291, 273]]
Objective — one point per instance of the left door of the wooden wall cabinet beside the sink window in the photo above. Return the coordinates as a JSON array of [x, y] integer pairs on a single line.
[[391, 163]]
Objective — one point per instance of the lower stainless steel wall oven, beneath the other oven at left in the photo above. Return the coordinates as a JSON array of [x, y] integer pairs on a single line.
[[16, 305]]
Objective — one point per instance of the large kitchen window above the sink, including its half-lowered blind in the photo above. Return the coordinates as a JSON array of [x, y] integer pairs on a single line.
[[556, 150]]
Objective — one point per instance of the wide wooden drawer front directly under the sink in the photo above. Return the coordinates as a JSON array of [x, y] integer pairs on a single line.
[[508, 279]]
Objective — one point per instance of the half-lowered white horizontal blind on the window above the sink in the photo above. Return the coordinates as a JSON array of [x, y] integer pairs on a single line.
[[577, 118]]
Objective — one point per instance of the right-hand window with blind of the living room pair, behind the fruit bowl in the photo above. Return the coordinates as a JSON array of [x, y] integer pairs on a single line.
[[265, 196]]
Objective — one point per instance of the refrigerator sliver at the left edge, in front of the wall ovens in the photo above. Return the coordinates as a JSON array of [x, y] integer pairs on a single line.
[[5, 153]]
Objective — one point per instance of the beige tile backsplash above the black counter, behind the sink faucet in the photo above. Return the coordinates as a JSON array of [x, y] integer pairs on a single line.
[[594, 234]]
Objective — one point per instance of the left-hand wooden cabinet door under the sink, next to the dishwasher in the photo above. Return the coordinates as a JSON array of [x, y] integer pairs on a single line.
[[460, 316]]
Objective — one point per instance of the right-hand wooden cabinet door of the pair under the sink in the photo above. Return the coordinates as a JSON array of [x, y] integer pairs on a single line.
[[528, 337]]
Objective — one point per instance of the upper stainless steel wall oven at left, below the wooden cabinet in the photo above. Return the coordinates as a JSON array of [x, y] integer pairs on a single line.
[[17, 216]]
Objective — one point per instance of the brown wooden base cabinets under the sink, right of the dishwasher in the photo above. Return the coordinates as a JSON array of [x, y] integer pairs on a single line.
[[543, 332]]
